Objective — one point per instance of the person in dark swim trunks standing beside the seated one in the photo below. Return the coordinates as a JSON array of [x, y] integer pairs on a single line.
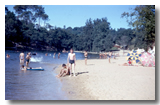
[[72, 61]]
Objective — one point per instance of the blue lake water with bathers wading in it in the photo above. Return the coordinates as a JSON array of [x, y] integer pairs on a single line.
[[35, 85]]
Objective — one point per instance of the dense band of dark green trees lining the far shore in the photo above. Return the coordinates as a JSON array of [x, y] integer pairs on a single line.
[[96, 35]]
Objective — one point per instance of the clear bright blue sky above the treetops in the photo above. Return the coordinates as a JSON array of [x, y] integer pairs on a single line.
[[77, 15]]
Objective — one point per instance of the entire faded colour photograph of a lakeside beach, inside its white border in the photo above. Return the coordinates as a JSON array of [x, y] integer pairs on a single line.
[[79, 52]]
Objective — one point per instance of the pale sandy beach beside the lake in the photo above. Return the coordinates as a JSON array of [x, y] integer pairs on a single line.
[[101, 80]]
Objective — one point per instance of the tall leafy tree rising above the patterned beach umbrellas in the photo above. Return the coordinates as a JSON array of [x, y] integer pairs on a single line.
[[143, 20]]
